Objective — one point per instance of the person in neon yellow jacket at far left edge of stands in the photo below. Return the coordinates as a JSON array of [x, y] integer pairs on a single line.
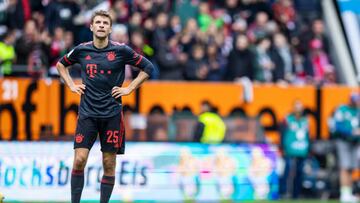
[[7, 53]]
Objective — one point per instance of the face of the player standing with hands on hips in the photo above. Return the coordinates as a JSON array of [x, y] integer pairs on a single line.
[[101, 27]]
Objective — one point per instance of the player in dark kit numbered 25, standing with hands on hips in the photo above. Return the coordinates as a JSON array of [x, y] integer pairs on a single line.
[[102, 70]]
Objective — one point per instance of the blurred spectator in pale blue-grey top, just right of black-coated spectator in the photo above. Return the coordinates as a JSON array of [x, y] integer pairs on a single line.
[[264, 66]]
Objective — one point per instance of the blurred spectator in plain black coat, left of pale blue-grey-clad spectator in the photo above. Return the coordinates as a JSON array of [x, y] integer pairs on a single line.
[[240, 61]]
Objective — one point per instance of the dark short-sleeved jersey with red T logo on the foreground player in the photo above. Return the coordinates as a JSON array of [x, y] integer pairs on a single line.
[[101, 70]]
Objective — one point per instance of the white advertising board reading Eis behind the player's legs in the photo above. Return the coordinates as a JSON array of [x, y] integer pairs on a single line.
[[41, 171]]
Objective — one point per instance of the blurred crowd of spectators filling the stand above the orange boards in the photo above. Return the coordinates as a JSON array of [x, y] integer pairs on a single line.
[[263, 40]]
